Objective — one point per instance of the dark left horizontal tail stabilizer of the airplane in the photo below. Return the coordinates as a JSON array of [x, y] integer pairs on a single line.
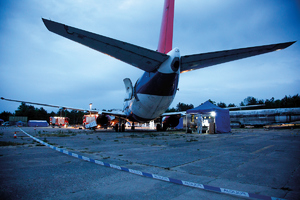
[[142, 58]]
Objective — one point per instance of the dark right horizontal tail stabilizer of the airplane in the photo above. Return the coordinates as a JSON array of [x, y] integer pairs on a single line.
[[197, 61]]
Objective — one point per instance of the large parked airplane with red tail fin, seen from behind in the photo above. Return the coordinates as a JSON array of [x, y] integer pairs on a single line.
[[154, 91]]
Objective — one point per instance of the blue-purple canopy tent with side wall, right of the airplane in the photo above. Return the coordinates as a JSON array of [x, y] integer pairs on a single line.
[[222, 118]]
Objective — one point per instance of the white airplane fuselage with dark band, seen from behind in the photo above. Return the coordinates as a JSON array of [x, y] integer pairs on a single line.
[[154, 92]]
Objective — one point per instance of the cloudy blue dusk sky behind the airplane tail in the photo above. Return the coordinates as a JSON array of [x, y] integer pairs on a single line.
[[39, 66]]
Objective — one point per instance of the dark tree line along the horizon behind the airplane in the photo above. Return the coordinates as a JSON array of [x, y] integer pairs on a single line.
[[76, 116]]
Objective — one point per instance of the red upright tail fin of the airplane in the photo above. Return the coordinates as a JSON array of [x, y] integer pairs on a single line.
[[166, 29]]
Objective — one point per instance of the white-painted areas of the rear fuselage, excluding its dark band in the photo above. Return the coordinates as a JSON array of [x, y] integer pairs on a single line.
[[149, 106]]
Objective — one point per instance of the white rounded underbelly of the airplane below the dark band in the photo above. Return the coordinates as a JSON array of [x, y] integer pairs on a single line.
[[151, 106]]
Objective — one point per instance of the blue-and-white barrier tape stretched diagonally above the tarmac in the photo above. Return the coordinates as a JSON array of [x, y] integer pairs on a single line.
[[158, 177]]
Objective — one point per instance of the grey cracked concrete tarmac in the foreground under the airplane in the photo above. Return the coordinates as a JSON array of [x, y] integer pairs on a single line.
[[258, 161]]
